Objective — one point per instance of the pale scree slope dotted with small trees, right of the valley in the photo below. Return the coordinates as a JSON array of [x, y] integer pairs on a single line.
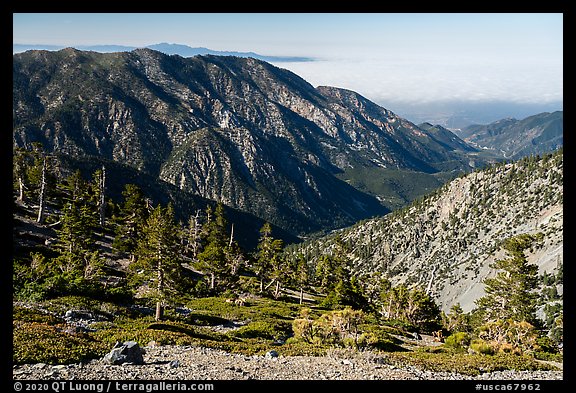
[[446, 241]]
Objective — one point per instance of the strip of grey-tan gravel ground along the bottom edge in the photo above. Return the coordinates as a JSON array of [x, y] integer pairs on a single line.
[[196, 363]]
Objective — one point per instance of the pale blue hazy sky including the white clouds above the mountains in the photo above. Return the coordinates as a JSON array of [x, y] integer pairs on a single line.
[[385, 57]]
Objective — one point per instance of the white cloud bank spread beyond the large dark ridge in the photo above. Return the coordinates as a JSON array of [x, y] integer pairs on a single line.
[[427, 80]]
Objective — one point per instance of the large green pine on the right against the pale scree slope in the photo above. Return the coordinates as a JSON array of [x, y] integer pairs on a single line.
[[510, 295]]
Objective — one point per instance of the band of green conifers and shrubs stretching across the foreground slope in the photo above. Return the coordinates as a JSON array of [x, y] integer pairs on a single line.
[[135, 252]]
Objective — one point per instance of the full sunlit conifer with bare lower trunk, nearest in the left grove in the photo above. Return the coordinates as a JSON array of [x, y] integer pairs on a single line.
[[159, 263]]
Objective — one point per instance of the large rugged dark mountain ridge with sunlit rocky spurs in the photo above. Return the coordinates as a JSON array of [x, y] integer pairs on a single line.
[[143, 108]]
